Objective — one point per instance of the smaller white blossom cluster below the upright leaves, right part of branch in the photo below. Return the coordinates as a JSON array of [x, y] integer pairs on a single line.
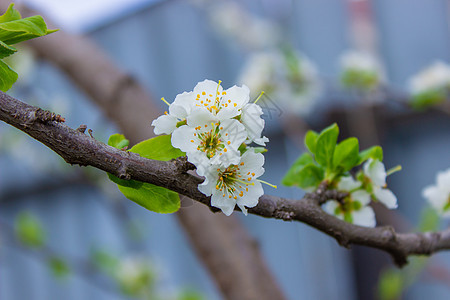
[[369, 184]]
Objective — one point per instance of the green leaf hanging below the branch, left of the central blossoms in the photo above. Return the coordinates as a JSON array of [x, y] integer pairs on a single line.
[[152, 197]]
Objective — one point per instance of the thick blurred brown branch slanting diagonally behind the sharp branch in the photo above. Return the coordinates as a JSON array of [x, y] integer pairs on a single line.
[[129, 105]]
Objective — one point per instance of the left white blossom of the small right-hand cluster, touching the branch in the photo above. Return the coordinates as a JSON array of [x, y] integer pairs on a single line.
[[354, 208]]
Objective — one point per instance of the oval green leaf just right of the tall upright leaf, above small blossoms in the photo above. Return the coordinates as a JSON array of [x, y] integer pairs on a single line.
[[346, 154]]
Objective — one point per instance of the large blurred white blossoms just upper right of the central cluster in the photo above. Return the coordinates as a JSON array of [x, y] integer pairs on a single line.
[[289, 78]]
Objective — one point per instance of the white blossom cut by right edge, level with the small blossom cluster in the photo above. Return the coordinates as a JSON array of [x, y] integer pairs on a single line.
[[439, 195]]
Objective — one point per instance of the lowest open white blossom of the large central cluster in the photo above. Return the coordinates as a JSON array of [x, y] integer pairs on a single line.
[[235, 184]]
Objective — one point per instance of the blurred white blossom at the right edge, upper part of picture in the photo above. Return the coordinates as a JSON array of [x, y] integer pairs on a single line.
[[435, 76]]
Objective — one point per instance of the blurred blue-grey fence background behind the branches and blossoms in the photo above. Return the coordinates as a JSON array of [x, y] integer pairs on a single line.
[[67, 232]]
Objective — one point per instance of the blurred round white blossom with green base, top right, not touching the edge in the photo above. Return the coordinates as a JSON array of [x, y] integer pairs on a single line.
[[360, 70]]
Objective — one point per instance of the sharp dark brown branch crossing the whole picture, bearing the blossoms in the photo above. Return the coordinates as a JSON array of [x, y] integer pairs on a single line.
[[76, 147]]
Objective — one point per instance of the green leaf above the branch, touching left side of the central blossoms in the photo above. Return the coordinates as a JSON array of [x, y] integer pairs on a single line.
[[158, 148]]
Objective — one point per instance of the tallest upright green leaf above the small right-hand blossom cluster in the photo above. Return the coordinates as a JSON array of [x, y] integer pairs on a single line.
[[326, 143]]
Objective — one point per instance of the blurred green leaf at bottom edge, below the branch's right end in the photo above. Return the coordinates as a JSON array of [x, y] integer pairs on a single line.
[[390, 285]]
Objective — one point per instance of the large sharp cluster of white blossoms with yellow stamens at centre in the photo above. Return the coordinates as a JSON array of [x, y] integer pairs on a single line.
[[214, 126]]
